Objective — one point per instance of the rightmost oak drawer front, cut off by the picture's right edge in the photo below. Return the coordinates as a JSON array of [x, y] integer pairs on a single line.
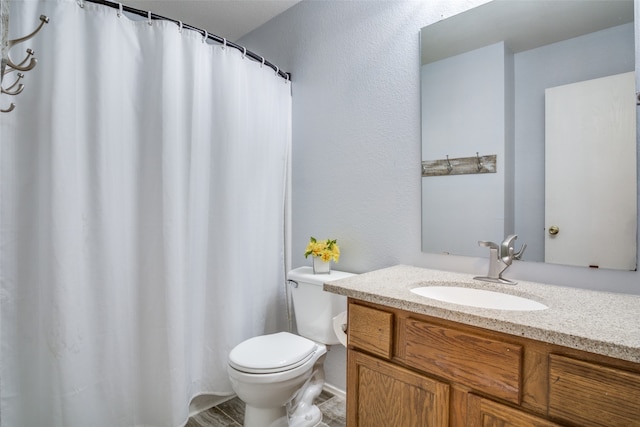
[[592, 395]]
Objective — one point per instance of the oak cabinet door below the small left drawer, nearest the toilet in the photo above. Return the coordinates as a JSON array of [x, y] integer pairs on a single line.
[[384, 395]]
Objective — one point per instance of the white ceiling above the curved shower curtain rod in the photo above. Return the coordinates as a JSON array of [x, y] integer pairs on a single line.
[[231, 19]]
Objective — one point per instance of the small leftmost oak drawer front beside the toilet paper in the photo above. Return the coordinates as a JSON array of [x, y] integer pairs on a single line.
[[370, 330]]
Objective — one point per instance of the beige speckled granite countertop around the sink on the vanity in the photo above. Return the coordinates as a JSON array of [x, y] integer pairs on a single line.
[[599, 322]]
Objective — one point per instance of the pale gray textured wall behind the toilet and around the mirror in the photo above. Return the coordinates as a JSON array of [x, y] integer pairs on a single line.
[[356, 139]]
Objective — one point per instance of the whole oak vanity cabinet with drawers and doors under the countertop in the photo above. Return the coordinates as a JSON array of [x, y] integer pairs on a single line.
[[407, 369]]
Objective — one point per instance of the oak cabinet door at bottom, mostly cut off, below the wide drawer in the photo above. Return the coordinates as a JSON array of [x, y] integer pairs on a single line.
[[487, 413]]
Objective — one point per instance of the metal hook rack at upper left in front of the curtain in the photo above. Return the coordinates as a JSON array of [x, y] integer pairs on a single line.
[[26, 64]]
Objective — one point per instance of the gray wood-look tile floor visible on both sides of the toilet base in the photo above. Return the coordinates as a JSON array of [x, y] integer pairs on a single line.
[[231, 413]]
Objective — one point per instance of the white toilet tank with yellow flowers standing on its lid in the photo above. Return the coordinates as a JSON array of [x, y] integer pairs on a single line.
[[314, 308]]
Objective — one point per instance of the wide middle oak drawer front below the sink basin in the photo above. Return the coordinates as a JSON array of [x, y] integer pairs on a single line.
[[482, 363]]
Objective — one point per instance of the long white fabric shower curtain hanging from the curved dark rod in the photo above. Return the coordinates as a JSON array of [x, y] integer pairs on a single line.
[[142, 188]]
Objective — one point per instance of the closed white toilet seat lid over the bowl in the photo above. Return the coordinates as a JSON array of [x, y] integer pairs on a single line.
[[271, 353]]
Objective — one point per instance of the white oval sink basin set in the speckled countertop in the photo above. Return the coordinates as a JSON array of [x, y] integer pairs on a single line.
[[478, 298]]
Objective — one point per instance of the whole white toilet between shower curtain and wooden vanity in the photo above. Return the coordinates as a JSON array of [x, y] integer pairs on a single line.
[[278, 376]]
